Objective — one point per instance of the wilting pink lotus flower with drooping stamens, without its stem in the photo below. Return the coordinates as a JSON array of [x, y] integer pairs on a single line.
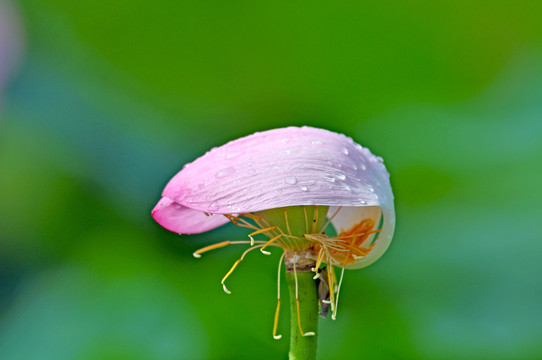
[[316, 194]]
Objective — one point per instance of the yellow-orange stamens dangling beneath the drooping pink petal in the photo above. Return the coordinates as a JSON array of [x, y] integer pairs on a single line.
[[316, 247]]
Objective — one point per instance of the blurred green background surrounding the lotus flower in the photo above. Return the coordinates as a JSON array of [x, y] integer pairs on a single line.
[[110, 98]]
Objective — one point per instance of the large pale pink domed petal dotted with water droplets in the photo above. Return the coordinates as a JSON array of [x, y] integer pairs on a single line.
[[276, 168]]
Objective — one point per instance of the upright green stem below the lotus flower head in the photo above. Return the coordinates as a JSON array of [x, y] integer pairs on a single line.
[[303, 347]]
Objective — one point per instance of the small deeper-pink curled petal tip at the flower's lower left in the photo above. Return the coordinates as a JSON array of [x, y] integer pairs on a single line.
[[180, 219]]
